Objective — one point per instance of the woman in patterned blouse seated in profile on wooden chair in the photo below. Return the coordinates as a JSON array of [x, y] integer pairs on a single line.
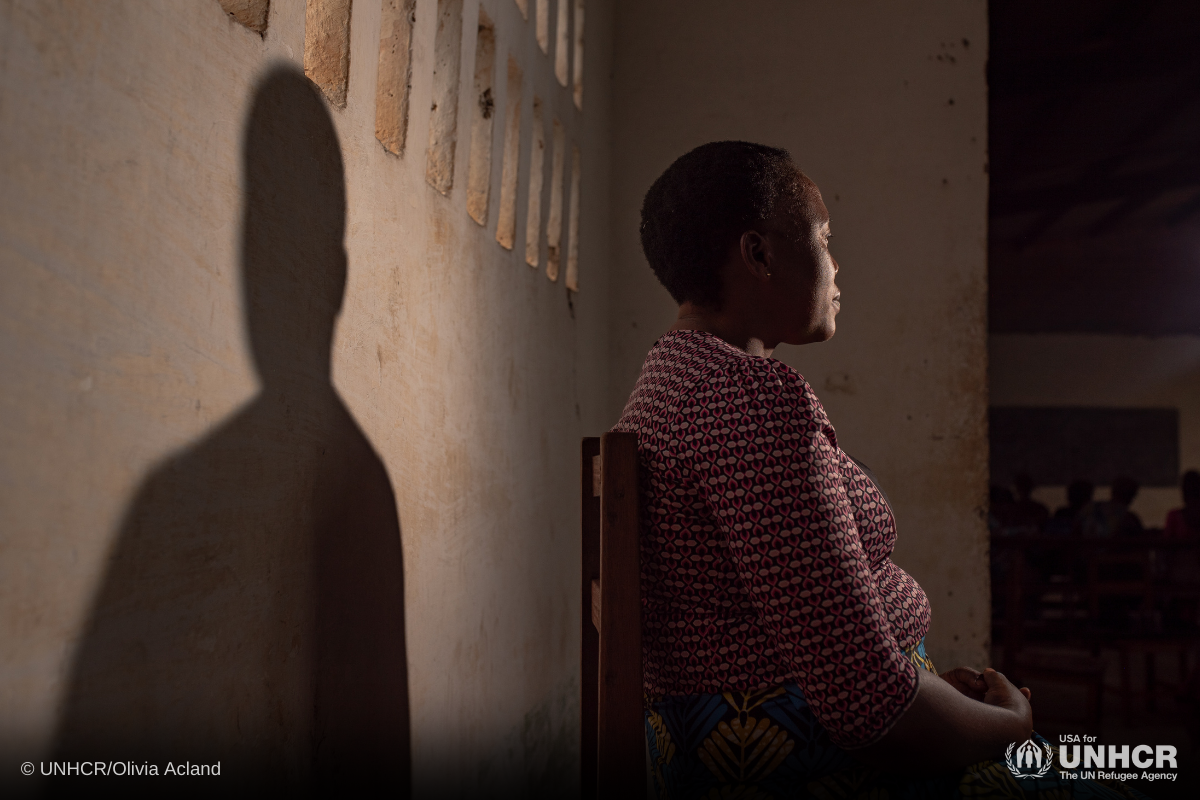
[[784, 652]]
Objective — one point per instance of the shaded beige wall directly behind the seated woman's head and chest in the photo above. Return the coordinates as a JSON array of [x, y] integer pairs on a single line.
[[885, 106]]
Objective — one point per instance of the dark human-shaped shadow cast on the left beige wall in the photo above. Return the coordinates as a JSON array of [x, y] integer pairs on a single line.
[[254, 607]]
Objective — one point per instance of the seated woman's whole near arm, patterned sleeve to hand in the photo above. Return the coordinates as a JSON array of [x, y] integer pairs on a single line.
[[770, 470]]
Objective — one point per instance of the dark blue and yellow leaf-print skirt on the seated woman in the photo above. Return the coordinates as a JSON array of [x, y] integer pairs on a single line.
[[769, 744]]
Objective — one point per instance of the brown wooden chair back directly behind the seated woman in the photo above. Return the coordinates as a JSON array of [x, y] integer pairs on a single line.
[[613, 717]]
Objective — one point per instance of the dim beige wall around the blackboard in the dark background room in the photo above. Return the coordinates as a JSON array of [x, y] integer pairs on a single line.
[[1084, 370]]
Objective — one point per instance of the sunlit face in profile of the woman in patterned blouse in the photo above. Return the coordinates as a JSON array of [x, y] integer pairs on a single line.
[[803, 298]]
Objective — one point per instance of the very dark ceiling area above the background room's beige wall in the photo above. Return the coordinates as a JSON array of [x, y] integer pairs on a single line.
[[1095, 124]]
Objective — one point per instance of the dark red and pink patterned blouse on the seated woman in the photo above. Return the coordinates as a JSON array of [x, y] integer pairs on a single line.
[[765, 548]]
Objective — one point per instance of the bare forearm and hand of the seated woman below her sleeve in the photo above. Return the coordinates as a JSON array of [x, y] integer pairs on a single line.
[[944, 730]]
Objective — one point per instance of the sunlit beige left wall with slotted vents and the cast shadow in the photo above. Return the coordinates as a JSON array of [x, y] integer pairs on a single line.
[[199, 514]]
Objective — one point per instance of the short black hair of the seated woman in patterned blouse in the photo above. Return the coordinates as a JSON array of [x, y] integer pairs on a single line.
[[704, 203]]
